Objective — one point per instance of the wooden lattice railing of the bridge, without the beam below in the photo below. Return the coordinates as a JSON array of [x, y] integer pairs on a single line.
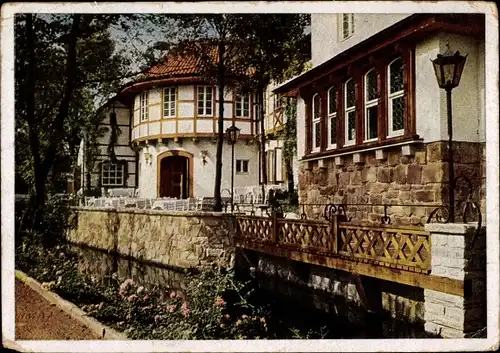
[[400, 247]]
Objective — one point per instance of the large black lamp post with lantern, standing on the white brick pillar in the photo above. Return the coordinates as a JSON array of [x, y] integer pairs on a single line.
[[448, 68]]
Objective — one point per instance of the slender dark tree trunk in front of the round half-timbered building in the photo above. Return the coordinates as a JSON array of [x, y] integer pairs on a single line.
[[220, 136]]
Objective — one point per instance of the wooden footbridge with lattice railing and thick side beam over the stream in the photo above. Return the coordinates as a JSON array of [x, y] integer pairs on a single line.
[[399, 254]]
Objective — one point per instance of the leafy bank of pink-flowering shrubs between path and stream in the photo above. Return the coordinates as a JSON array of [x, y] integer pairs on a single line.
[[212, 304]]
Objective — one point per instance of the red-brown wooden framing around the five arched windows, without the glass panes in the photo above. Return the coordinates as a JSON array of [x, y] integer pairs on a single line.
[[357, 71]]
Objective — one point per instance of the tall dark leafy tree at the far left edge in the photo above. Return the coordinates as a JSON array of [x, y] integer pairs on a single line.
[[63, 64]]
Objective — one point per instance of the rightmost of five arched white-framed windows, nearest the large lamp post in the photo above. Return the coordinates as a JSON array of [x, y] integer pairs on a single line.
[[395, 97]]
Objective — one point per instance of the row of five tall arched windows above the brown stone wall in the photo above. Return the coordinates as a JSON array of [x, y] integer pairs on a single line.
[[375, 97]]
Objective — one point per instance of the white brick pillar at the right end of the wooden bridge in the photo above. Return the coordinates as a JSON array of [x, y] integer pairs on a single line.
[[455, 255]]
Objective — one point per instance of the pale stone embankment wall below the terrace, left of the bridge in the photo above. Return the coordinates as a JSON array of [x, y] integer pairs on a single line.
[[179, 239]]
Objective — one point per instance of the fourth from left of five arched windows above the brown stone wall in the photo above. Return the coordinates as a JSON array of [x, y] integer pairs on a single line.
[[371, 105]]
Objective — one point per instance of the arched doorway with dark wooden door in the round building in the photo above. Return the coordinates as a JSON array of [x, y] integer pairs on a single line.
[[175, 175]]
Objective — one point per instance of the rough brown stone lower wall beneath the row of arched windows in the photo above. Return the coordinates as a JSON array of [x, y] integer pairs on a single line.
[[414, 175]]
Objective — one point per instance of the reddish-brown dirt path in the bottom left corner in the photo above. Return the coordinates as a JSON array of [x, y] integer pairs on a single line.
[[38, 319]]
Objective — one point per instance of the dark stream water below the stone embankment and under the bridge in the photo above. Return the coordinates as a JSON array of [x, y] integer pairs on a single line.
[[287, 312]]
